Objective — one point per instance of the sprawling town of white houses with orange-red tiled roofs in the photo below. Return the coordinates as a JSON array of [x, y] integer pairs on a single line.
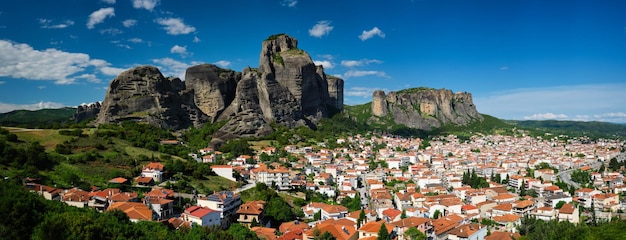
[[479, 188]]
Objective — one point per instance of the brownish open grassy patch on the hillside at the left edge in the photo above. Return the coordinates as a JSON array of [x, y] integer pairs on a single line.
[[46, 137]]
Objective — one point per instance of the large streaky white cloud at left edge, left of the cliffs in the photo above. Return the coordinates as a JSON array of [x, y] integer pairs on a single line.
[[22, 61]]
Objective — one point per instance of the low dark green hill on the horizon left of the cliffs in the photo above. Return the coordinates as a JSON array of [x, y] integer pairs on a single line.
[[41, 118]]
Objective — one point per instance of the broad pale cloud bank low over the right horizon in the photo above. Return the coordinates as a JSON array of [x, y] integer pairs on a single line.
[[576, 102]]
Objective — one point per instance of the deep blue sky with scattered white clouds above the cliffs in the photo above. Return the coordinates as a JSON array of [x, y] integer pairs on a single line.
[[519, 59]]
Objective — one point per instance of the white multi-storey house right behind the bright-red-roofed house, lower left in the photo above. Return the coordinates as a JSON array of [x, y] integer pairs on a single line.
[[226, 202]]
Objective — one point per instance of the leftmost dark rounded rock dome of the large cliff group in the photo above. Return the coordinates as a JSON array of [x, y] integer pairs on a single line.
[[143, 94]]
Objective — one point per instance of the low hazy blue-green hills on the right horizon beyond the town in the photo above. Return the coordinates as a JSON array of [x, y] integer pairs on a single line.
[[575, 128]]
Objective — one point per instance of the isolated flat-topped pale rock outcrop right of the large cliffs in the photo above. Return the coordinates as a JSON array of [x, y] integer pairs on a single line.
[[425, 108]]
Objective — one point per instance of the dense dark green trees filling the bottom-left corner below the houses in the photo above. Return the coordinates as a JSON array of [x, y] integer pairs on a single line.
[[26, 215]]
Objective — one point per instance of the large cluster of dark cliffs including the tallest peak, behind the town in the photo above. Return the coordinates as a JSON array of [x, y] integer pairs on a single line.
[[287, 89]]
